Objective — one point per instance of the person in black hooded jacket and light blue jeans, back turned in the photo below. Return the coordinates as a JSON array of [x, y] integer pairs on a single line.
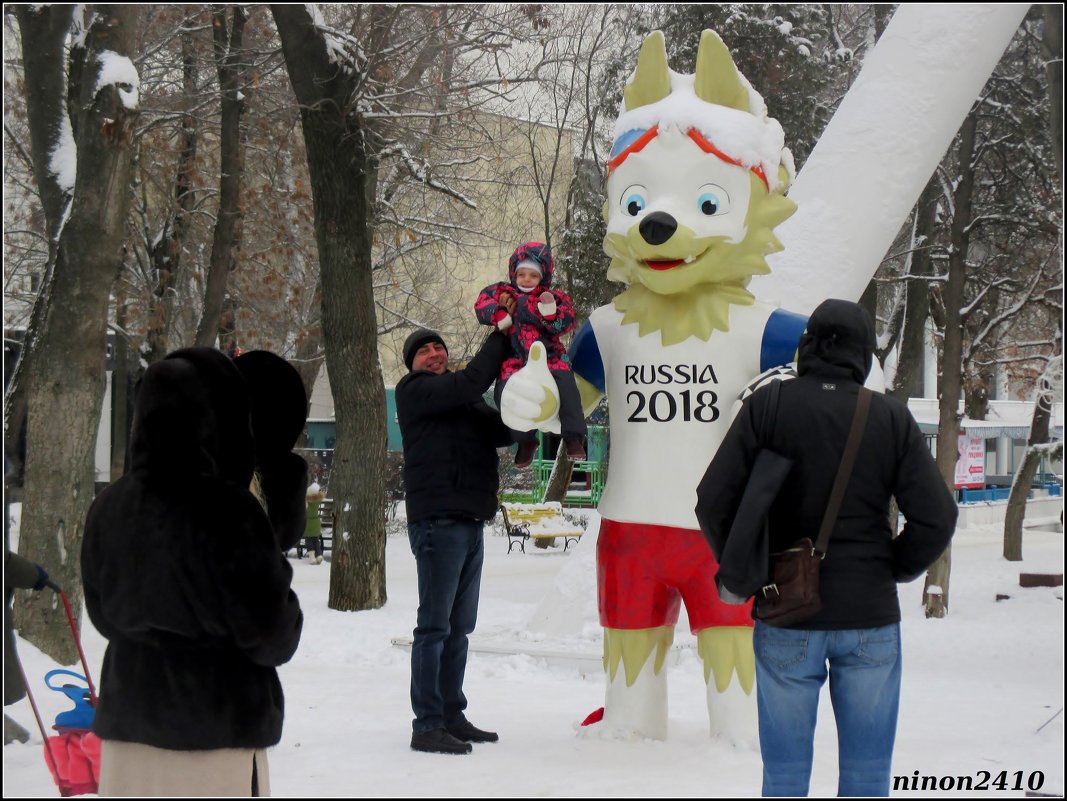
[[857, 632]]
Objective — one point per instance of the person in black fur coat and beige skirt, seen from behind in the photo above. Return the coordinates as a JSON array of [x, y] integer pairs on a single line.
[[185, 575]]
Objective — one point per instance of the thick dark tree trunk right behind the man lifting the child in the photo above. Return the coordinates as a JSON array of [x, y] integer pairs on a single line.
[[342, 174]]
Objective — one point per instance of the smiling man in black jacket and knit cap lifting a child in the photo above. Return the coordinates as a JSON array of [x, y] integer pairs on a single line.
[[451, 439]]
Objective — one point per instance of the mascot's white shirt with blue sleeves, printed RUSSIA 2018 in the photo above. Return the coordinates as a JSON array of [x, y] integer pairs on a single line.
[[672, 406]]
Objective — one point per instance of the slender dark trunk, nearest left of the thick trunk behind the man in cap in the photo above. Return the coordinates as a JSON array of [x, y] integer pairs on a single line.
[[229, 59]]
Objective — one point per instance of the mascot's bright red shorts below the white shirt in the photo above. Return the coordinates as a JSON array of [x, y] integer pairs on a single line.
[[645, 572]]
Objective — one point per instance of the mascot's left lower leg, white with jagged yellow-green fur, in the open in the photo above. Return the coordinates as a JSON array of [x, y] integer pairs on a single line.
[[636, 698]]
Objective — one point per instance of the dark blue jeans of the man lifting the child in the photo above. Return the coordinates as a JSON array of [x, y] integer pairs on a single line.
[[449, 555]]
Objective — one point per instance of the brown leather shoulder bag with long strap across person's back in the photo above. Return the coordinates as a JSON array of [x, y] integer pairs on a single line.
[[792, 596]]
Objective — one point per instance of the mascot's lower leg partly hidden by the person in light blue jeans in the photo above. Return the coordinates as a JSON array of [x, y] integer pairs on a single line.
[[730, 674]]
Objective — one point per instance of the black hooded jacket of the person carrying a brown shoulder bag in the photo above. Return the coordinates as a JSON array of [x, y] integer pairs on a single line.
[[864, 562]]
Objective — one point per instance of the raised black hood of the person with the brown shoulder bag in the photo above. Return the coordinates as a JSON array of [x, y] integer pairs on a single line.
[[838, 343]]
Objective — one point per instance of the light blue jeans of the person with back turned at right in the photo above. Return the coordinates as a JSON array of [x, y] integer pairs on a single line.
[[865, 670]]
